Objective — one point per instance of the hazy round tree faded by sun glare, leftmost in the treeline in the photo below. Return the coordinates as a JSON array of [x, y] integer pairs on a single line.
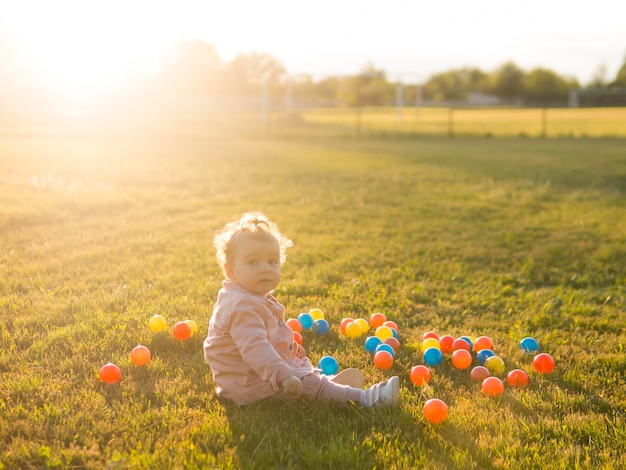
[[191, 68]]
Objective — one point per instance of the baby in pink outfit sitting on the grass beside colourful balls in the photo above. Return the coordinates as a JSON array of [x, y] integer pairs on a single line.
[[250, 349]]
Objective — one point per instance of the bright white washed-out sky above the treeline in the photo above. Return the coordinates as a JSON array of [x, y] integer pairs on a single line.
[[89, 43]]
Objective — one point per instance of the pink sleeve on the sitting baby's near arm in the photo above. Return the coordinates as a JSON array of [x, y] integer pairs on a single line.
[[249, 333]]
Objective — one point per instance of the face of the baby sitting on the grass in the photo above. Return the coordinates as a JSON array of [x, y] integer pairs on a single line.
[[255, 264]]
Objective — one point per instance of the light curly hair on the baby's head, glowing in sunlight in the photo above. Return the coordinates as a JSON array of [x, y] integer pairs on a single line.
[[255, 223]]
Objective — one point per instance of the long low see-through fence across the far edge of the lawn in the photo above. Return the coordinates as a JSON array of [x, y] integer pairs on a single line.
[[337, 122]]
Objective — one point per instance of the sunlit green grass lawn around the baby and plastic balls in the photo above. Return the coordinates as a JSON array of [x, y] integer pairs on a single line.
[[502, 237]]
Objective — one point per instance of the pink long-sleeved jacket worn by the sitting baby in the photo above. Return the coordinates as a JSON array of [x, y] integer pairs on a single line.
[[249, 347]]
